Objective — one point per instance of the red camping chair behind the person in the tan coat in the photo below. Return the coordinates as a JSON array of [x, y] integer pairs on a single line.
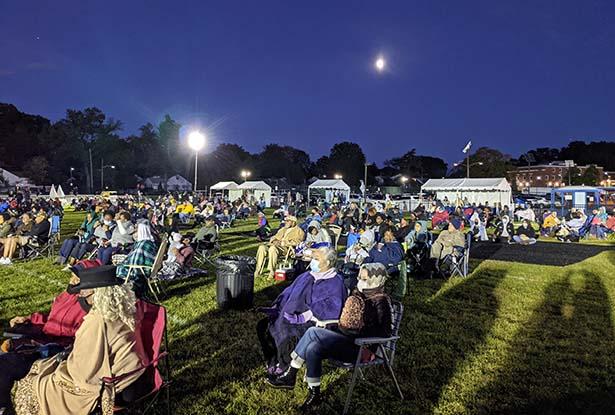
[[146, 389]]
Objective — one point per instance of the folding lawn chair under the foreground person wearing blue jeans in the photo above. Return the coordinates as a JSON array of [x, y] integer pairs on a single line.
[[384, 355]]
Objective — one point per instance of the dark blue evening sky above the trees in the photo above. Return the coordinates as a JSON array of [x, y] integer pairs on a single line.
[[513, 75]]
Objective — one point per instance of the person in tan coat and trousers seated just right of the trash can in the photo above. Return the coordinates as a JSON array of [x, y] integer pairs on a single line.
[[285, 240]]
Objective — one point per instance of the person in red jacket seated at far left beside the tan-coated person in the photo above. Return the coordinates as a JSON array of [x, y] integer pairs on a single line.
[[58, 326]]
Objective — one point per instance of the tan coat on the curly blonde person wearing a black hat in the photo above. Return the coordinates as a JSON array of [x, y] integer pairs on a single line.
[[72, 387]]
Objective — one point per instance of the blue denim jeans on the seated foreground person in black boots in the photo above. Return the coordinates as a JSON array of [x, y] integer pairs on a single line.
[[318, 344]]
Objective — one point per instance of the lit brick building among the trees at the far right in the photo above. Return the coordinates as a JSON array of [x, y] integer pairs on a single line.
[[542, 178]]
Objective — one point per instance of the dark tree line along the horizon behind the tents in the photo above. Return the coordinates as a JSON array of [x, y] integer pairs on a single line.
[[73, 150]]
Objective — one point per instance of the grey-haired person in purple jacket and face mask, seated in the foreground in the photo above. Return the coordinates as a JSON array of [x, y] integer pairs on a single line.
[[314, 298]]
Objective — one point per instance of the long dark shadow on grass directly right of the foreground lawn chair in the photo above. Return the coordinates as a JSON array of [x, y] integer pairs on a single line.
[[440, 329]]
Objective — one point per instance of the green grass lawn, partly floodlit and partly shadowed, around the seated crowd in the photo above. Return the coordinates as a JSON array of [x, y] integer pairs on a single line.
[[511, 338]]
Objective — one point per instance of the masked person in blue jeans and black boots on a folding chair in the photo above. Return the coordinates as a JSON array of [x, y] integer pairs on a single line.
[[366, 313]]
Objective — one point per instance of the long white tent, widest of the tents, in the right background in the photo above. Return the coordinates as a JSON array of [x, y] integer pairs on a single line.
[[479, 191]]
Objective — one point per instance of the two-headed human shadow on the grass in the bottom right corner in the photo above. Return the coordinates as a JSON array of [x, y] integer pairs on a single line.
[[562, 361]]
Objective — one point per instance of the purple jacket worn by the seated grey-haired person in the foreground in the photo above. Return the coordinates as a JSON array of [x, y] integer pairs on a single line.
[[324, 298]]
